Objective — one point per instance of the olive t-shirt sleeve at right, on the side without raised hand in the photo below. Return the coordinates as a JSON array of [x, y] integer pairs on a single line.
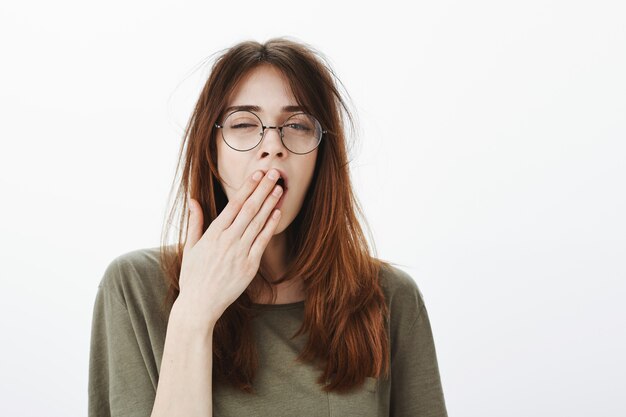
[[416, 389]]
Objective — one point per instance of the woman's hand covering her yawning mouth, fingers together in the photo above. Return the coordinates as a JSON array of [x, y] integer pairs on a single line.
[[219, 265]]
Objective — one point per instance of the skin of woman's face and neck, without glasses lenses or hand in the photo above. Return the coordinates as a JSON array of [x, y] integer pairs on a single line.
[[267, 87]]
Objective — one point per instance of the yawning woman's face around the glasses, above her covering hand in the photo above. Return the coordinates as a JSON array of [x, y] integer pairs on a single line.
[[266, 87]]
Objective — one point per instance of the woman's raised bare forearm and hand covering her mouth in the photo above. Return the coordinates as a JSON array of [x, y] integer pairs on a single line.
[[236, 240]]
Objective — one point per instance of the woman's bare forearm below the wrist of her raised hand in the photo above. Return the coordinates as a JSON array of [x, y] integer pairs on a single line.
[[185, 378]]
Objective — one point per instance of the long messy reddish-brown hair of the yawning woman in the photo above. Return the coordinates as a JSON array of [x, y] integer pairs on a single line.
[[345, 313]]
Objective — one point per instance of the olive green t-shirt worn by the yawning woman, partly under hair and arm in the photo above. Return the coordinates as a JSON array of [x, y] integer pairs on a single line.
[[128, 336]]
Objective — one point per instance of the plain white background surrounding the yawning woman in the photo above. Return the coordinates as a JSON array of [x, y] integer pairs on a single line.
[[490, 165]]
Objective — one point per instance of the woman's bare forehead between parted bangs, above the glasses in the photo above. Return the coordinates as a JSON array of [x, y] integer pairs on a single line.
[[265, 87]]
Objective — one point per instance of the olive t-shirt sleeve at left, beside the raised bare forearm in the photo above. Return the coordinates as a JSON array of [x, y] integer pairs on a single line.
[[119, 382]]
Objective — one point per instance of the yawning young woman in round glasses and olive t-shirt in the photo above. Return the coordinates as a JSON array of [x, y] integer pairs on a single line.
[[271, 303]]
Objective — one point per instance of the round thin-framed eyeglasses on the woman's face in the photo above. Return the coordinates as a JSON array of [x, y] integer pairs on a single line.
[[243, 130]]
